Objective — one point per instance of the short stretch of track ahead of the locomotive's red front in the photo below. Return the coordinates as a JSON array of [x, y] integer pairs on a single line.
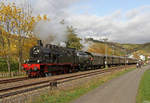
[[13, 80]]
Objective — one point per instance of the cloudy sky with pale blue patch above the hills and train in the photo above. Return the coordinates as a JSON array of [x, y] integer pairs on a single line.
[[124, 21]]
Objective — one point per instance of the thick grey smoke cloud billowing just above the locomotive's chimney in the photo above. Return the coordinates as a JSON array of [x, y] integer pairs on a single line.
[[52, 32]]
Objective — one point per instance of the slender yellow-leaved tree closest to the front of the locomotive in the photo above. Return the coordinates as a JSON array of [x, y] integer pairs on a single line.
[[24, 25]]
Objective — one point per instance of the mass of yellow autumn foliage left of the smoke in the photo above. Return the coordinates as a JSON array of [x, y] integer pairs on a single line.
[[16, 30]]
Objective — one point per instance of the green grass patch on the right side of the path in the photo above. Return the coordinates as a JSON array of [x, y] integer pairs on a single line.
[[144, 89]]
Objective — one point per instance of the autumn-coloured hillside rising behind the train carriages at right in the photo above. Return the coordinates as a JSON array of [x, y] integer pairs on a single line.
[[120, 49]]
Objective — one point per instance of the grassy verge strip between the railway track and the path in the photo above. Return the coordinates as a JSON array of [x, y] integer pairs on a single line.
[[65, 96]]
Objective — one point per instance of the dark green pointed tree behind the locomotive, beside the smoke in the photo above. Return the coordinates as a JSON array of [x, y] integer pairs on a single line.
[[73, 40]]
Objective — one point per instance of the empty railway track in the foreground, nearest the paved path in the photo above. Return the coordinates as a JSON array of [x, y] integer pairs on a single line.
[[49, 83]]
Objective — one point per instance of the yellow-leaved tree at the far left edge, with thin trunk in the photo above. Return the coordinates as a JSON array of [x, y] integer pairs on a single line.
[[6, 28]]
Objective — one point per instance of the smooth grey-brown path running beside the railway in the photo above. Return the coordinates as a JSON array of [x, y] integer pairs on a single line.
[[120, 90]]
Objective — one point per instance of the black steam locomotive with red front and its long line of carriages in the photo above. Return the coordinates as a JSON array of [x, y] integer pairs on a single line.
[[51, 59]]
